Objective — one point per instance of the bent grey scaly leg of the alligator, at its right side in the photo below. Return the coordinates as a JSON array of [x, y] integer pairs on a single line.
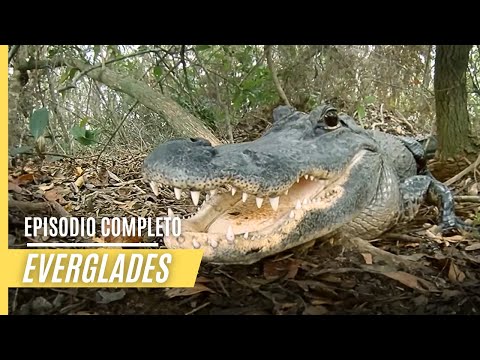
[[425, 188]]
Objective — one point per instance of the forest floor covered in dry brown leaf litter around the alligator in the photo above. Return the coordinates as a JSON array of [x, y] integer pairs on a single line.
[[326, 278]]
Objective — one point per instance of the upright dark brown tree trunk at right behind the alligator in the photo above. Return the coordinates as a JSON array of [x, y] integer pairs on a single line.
[[453, 123]]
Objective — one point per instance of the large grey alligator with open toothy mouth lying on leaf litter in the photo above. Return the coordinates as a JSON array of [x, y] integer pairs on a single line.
[[309, 176]]
